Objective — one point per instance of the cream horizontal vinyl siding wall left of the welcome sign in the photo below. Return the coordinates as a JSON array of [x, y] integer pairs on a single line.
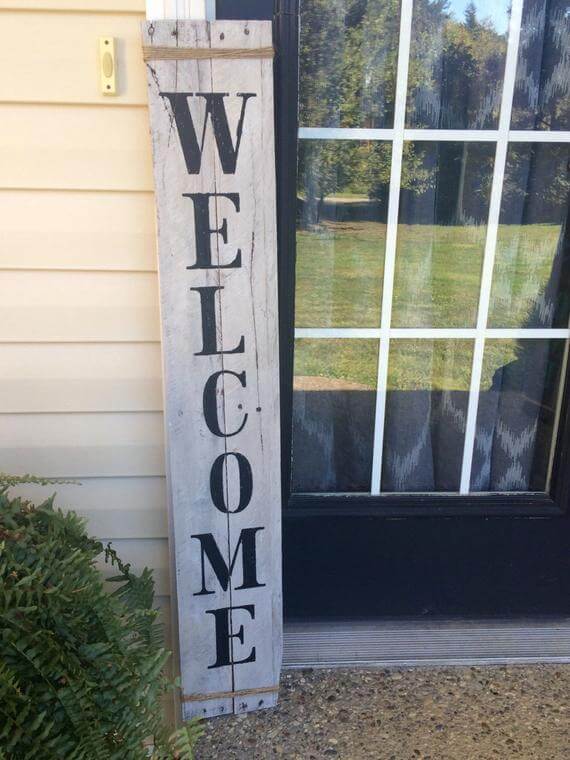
[[80, 366]]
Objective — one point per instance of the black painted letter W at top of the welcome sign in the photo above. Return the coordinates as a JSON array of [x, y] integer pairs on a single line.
[[192, 147]]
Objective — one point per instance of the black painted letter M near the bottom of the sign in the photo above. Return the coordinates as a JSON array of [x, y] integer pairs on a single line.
[[209, 549]]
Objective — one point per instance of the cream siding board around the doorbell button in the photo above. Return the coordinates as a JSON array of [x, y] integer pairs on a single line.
[[53, 58]]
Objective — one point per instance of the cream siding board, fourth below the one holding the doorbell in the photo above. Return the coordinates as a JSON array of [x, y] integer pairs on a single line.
[[101, 377]]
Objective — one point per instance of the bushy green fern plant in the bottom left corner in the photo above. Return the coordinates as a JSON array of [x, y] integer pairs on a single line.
[[81, 669]]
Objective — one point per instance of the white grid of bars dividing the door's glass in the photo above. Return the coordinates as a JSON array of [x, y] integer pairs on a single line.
[[501, 136]]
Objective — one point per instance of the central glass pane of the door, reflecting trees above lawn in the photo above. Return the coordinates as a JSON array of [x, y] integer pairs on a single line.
[[444, 203]]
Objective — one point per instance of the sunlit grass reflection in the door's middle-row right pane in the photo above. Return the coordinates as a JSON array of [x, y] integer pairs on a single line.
[[523, 263]]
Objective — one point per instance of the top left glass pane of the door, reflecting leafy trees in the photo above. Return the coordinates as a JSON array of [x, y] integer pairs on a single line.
[[348, 59]]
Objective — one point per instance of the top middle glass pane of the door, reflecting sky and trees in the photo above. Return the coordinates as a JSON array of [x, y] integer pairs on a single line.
[[457, 61]]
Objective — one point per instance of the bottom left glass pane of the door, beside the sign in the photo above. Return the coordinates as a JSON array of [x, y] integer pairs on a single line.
[[334, 398]]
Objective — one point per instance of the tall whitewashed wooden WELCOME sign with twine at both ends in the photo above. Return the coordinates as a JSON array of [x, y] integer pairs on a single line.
[[211, 112]]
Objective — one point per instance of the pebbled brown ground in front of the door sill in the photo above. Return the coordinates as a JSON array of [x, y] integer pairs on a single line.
[[405, 714]]
